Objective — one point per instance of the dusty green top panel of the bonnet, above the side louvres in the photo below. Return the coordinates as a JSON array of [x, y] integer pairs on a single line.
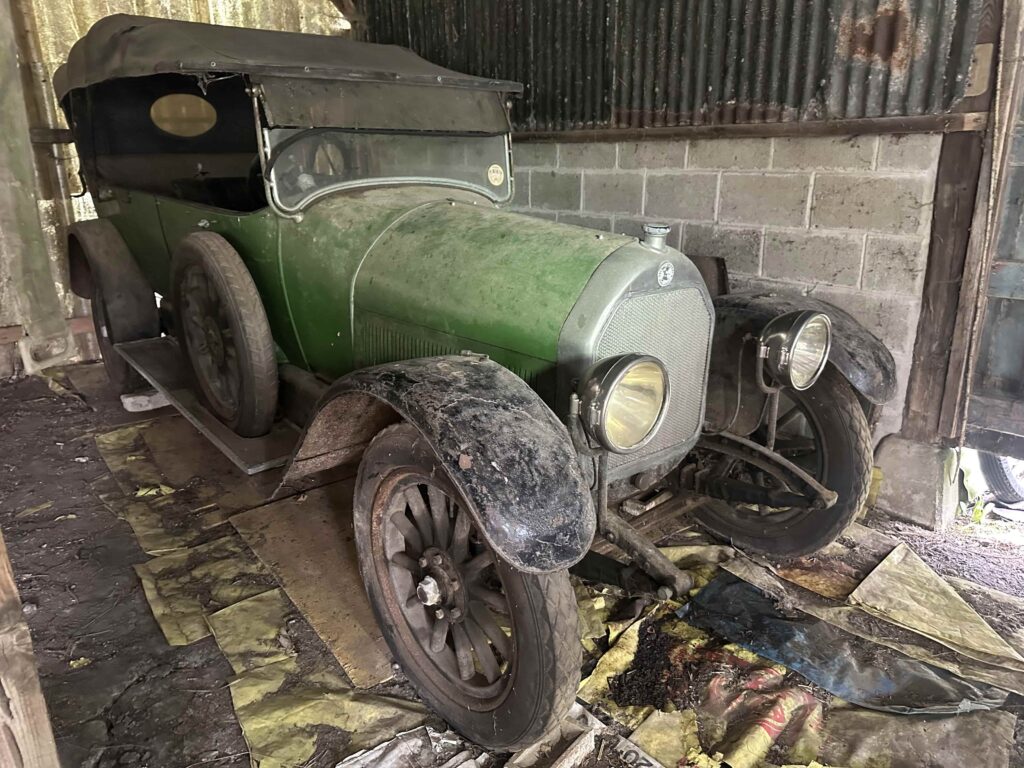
[[481, 275]]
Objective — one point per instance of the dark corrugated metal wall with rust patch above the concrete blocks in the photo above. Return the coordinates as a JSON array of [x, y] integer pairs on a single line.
[[646, 64]]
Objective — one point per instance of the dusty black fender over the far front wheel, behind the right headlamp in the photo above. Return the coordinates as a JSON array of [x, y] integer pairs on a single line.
[[859, 355]]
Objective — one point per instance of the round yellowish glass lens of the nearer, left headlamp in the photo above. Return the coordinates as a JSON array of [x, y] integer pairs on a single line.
[[634, 405]]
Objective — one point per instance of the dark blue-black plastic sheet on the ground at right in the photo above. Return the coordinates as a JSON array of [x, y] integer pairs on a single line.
[[849, 667]]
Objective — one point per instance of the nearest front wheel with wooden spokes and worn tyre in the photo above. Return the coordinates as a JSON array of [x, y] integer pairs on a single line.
[[495, 652]]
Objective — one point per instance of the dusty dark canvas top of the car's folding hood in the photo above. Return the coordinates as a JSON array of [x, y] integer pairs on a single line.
[[126, 47]]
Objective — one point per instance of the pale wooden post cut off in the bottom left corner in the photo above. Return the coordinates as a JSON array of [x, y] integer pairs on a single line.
[[26, 738]]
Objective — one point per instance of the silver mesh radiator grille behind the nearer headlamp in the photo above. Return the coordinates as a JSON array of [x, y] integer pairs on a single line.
[[675, 327]]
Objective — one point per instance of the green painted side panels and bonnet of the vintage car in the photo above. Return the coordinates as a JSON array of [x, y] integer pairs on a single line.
[[393, 274]]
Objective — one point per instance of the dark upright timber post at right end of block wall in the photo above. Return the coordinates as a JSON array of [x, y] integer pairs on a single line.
[[956, 189]]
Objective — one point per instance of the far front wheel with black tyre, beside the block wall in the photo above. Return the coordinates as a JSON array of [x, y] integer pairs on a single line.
[[825, 432]]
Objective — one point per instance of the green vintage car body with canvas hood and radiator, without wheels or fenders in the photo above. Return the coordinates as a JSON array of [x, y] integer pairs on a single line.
[[366, 205]]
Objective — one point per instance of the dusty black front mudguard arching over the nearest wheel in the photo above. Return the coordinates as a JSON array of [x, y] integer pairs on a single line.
[[504, 449]]
